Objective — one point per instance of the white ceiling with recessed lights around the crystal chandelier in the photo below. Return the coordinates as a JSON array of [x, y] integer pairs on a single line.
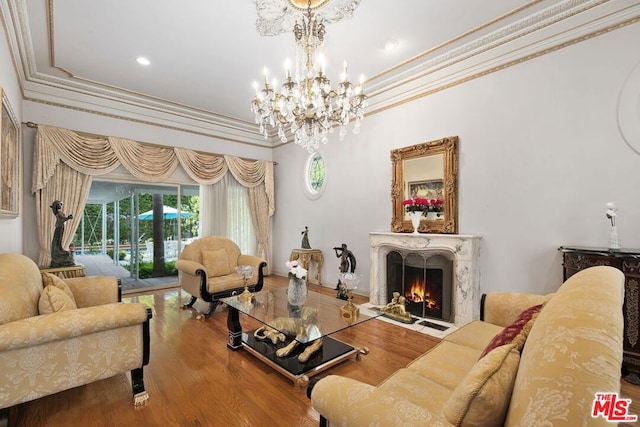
[[205, 54]]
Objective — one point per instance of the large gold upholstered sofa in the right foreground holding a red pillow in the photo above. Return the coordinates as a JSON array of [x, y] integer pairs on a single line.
[[573, 350]]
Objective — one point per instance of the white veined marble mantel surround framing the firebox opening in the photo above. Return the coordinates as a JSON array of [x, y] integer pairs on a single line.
[[463, 250]]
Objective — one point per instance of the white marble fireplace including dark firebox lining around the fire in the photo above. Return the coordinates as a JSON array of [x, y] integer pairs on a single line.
[[460, 282]]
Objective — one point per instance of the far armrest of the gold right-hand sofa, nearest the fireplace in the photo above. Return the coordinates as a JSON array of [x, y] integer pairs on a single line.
[[503, 308]]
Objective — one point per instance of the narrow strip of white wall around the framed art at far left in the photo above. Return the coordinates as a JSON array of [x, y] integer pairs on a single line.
[[10, 228]]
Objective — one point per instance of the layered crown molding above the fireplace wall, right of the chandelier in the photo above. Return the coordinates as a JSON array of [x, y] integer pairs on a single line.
[[549, 29]]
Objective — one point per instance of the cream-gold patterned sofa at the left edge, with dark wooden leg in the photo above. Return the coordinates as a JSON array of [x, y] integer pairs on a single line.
[[56, 333]]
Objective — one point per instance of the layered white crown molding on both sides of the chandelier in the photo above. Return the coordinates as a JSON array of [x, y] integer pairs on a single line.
[[538, 28]]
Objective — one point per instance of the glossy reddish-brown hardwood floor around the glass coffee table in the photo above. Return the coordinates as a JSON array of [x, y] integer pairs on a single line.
[[193, 379]]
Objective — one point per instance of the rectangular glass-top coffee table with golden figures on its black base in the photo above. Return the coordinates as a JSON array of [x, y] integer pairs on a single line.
[[301, 332]]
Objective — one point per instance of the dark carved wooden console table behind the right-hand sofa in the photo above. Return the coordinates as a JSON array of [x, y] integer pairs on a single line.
[[577, 258]]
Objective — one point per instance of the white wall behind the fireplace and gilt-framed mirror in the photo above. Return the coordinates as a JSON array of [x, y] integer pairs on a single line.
[[540, 155]]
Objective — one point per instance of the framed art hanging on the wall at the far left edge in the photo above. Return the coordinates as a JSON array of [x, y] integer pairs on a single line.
[[10, 162]]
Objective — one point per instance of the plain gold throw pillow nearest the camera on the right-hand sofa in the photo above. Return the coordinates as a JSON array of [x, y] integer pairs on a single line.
[[482, 397]]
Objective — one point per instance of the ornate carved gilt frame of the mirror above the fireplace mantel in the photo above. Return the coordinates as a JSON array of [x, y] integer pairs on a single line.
[[448, 147]]
